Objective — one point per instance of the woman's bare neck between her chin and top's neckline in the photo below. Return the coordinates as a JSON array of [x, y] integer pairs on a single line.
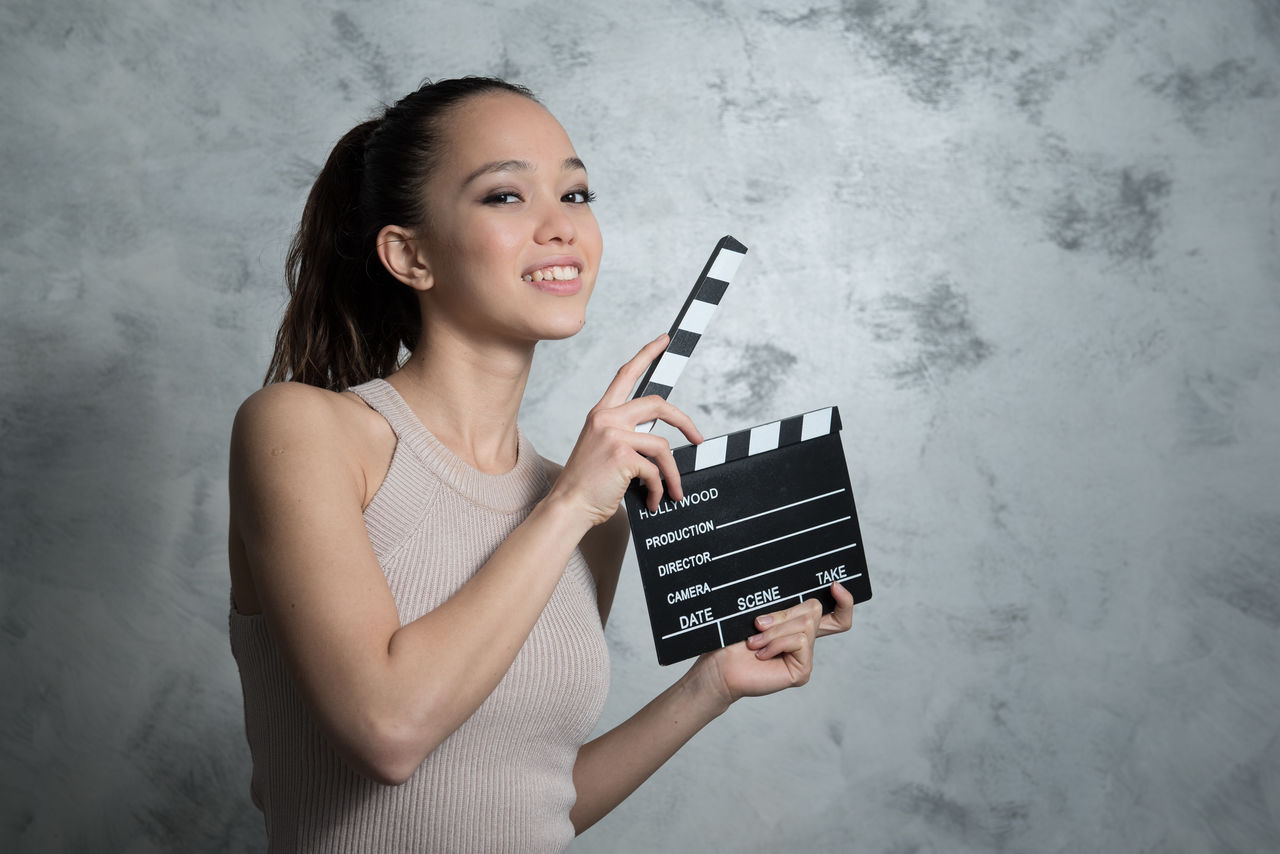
[[468, 394]]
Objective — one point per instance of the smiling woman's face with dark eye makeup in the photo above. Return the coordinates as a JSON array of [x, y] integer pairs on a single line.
[[511, 241]]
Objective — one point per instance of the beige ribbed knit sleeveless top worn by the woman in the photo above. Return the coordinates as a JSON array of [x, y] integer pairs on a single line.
[[504, 780]]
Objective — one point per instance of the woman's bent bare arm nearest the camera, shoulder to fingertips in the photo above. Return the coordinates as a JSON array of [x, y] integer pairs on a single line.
[[387, 695]]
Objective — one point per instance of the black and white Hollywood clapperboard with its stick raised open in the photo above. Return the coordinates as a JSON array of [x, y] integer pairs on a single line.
[[767, 519]]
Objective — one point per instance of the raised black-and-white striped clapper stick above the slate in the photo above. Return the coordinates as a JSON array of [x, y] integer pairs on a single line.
[[692, 322]]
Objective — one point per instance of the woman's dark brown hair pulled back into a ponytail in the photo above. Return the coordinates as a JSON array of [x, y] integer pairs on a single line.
[[349, 318]]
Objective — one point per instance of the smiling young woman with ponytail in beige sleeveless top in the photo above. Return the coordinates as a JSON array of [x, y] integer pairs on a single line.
[[418, 599]]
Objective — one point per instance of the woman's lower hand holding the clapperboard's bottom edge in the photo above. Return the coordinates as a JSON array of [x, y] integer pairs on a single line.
[[781, 655]]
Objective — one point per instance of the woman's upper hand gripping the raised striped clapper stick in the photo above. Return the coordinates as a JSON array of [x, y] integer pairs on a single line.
[[610, 454]]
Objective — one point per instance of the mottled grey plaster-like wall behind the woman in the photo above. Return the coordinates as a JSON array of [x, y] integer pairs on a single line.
[[1030, 249]]
